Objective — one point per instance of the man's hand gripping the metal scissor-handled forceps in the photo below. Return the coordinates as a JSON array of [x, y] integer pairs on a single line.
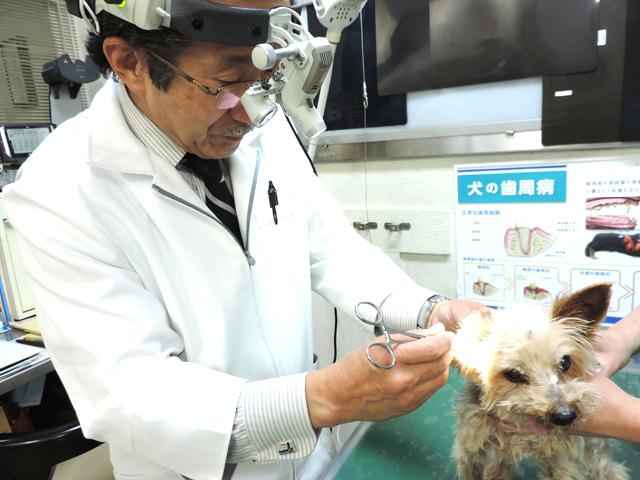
[[353, 389]]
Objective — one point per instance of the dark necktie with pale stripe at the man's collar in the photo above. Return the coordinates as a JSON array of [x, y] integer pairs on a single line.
[[218, 197]]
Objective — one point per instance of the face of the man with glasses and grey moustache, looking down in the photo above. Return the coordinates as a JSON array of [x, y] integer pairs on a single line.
[[200, 123]]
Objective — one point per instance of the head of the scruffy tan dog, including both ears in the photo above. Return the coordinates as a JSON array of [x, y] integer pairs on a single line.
[[531, 362]]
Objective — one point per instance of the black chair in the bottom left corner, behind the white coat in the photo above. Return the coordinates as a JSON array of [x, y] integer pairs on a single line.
[[32, 456]]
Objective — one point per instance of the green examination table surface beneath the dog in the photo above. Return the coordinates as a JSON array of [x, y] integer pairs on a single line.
[[418, 445]]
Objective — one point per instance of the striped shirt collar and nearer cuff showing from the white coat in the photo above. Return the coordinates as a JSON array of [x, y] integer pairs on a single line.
[[270, 412]]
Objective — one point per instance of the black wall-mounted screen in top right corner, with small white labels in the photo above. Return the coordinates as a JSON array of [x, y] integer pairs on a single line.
[[604, 105]]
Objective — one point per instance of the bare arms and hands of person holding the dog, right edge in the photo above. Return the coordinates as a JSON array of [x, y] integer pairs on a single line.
[[619, 413]]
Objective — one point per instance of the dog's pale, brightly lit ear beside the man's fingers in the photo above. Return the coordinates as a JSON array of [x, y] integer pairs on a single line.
[[471, 350]]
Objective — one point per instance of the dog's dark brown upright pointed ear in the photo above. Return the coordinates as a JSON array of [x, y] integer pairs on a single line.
[[586, 308]]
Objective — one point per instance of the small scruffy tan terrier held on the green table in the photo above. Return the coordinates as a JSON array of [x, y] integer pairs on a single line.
[[523, 364]]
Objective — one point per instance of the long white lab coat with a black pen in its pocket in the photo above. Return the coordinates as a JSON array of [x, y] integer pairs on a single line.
[[152, 313]]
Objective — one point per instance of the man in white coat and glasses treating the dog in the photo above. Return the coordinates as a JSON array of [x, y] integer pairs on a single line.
[[173, 253]]
